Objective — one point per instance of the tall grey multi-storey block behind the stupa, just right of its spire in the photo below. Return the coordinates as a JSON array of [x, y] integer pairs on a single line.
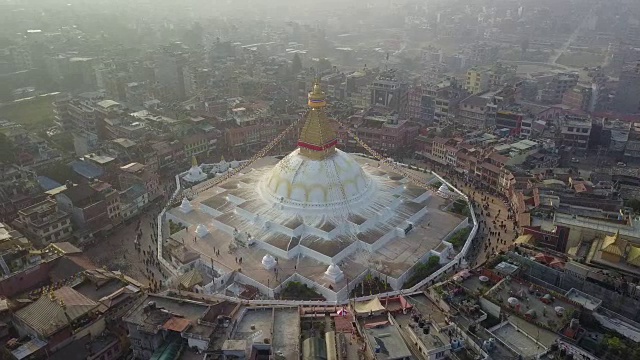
[[389, 92]]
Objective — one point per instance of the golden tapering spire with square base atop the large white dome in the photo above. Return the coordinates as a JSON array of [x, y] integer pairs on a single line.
[[317, 138]]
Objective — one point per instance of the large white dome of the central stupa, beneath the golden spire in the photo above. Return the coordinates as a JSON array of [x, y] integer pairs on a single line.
[[300, 182]]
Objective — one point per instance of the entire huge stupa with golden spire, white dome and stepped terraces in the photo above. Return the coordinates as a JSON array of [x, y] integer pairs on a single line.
[[316, 207]]
